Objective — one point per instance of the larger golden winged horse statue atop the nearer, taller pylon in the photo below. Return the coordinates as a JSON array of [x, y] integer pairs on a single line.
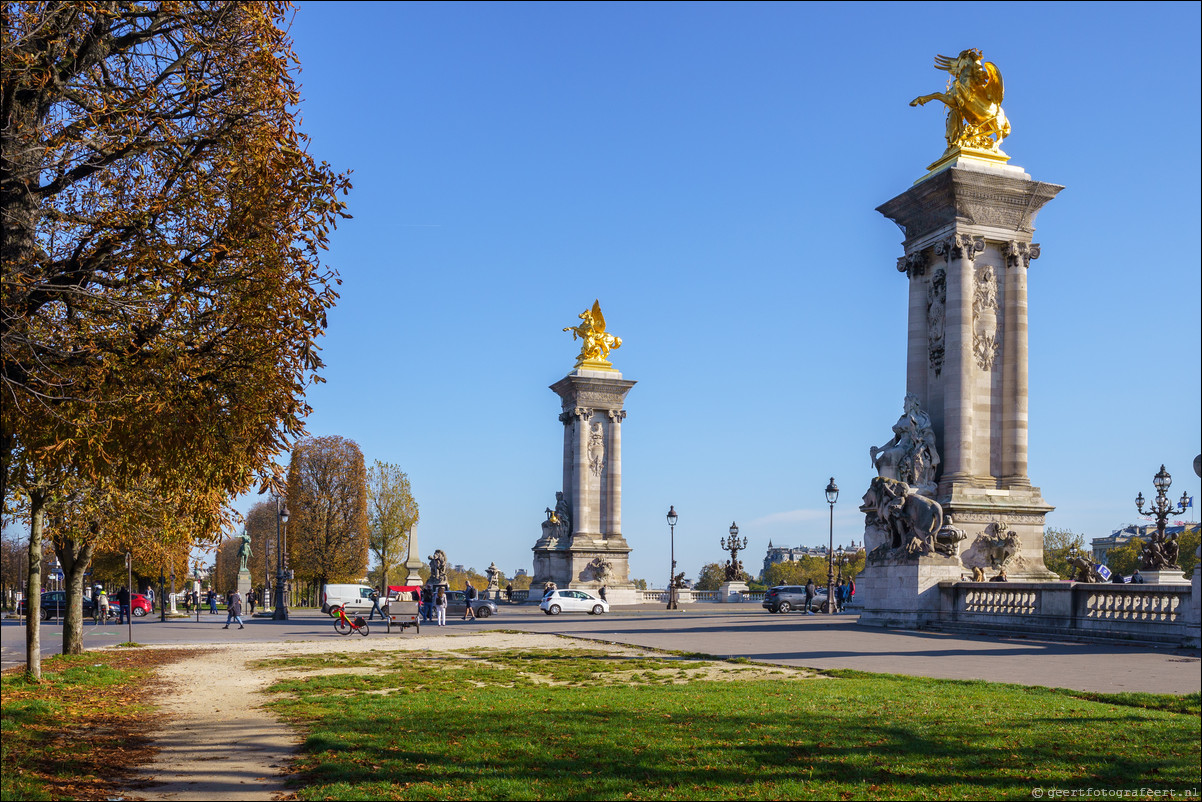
[[974, 103]]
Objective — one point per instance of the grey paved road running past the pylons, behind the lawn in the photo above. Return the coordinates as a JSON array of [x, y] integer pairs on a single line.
[[735, 631]]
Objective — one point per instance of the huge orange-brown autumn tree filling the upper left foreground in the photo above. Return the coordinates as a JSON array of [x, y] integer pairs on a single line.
[[162, 289]]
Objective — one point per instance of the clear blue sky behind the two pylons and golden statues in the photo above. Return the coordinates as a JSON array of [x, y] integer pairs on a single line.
[[711, 174]]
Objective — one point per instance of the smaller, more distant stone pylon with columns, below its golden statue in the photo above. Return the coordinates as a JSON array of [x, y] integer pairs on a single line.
[[584, 546]]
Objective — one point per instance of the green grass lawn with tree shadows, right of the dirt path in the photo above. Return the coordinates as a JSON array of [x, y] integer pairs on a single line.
[[587, 726]]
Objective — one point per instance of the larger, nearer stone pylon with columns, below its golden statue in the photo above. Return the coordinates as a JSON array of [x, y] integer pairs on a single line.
[[968, 251]]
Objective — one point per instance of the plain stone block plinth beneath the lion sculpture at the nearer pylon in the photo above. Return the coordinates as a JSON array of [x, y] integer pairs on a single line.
[[903, 593]]
